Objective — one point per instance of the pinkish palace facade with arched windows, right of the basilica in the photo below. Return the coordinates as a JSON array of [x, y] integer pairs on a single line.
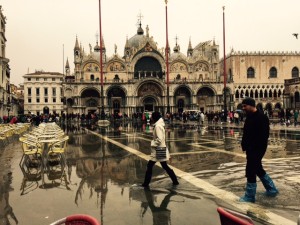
[[261, 75]]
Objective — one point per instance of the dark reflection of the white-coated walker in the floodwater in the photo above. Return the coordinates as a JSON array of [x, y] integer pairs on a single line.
[[161, 215]]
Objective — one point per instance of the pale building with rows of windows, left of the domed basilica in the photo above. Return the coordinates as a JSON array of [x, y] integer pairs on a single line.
[[43, 93]]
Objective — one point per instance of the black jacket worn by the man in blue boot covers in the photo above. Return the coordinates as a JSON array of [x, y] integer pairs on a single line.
[[256, 133]]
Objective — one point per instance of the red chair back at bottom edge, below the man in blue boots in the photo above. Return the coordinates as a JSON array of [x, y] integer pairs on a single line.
[[230, 217]]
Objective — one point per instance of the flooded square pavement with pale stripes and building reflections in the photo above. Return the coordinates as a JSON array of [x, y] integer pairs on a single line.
[[103, 164]]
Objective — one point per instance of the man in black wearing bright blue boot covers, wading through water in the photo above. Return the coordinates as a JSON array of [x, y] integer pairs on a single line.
[[254, 143]]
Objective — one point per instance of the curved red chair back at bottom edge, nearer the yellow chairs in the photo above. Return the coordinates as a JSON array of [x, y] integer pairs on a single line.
[[78, 219]]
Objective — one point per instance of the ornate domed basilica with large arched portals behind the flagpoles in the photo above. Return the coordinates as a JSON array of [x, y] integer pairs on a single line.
[[136, 80]]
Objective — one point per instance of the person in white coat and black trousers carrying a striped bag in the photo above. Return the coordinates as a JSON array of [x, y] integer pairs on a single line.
[[159, 150]]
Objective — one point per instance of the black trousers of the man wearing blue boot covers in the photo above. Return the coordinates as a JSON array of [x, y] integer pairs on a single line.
[[254, 165]]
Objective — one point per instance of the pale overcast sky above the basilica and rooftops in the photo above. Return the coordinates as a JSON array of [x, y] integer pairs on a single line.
[[41, 33]]
